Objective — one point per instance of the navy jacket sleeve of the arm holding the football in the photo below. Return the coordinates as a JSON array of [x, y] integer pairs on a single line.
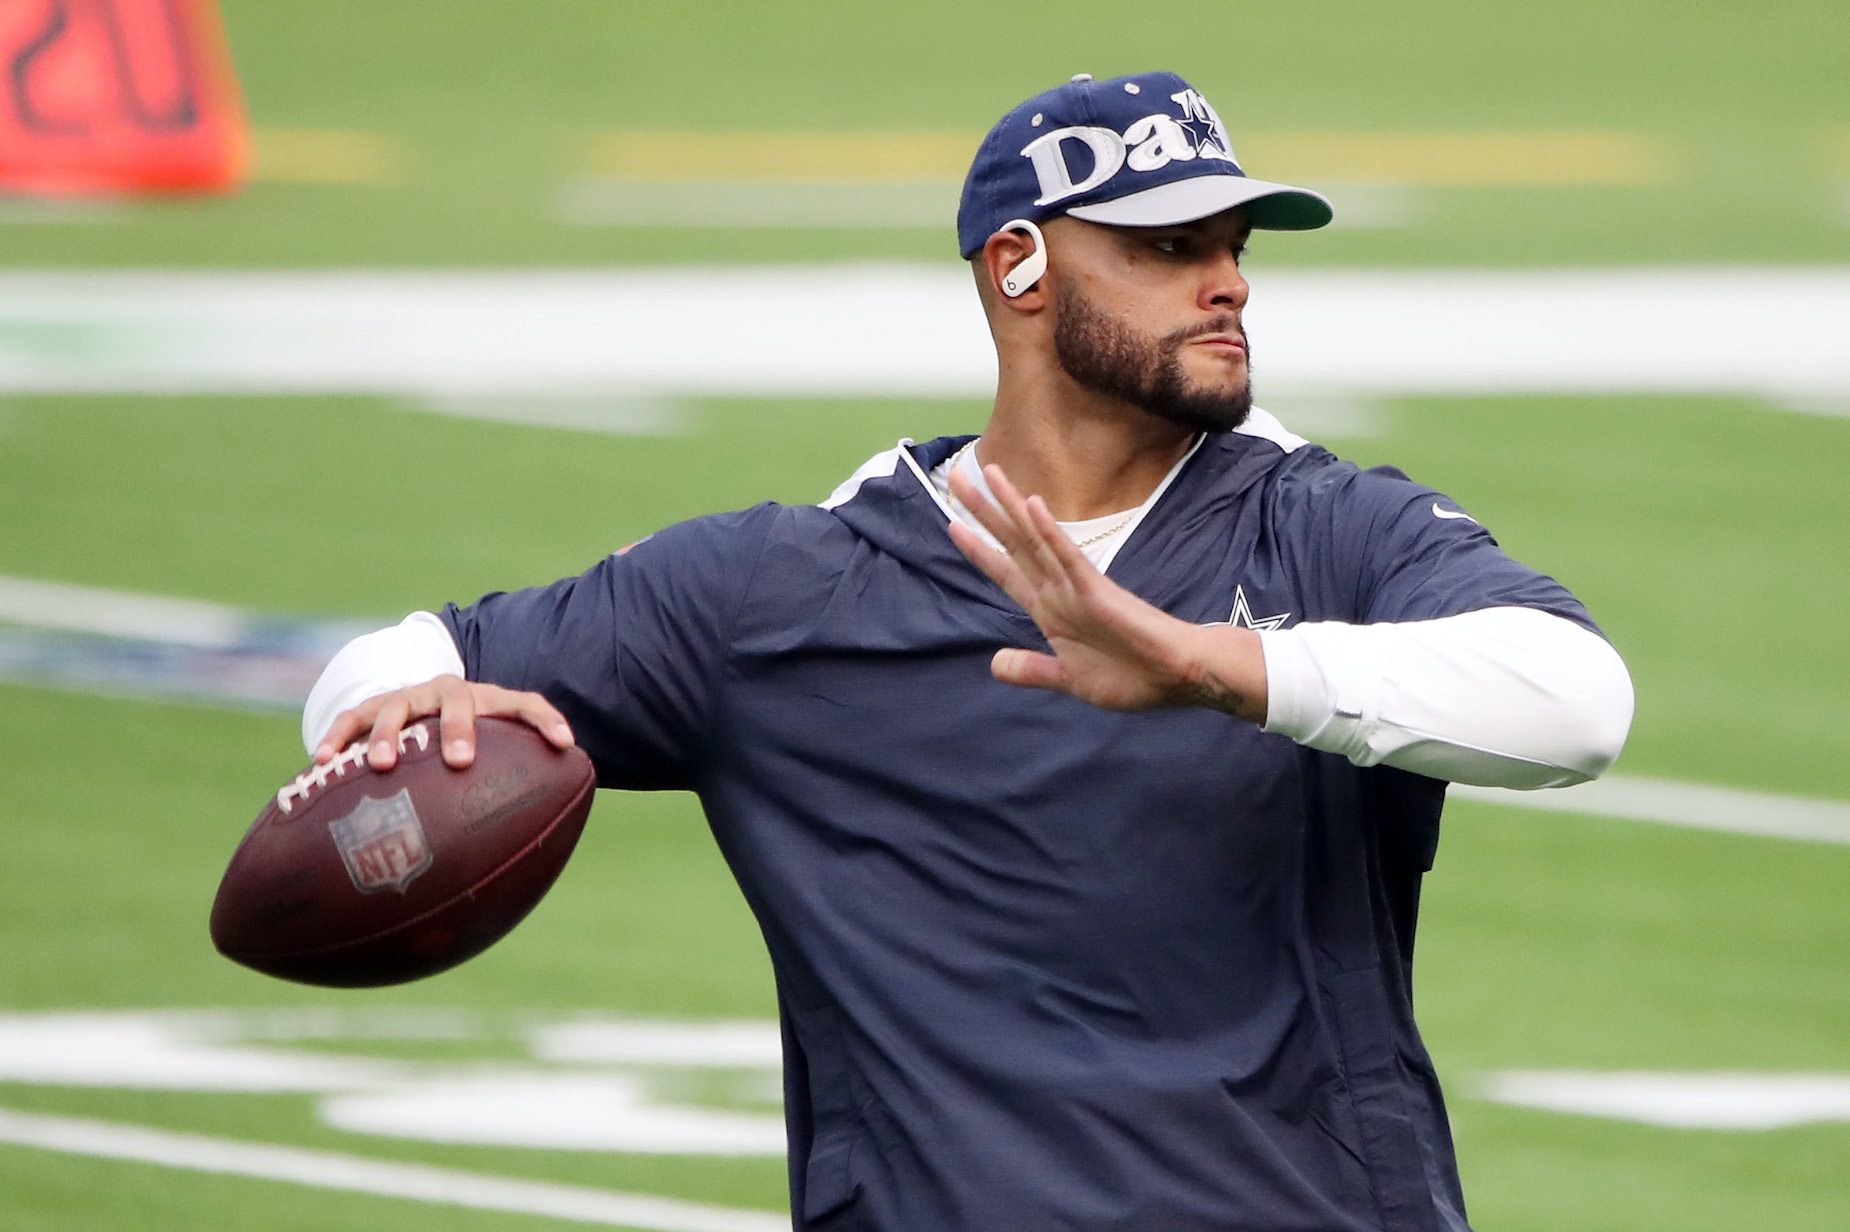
[[632, 652]]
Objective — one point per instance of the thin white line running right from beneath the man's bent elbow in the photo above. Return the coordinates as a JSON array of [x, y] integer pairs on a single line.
[[1694, 806]]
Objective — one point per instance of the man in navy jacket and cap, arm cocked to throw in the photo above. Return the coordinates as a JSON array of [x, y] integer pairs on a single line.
[[1081, 774]]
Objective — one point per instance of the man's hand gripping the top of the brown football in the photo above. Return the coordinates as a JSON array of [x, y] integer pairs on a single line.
[[456, 704]]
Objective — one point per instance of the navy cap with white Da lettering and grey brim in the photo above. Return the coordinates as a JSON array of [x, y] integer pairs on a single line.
[[1144, 153]]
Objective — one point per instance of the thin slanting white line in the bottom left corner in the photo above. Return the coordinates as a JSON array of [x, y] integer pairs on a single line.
[[328, 1170]]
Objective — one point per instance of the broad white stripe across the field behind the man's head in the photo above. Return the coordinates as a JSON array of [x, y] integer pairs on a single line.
[[902, 332]]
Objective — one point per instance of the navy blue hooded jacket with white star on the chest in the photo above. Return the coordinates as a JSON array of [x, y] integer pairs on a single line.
[[1044, 967]]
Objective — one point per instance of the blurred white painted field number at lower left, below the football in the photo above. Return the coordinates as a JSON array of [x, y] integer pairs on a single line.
[[593, 1083]]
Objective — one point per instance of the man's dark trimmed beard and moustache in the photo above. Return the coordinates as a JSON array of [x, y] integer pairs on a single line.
[[1109, 358]]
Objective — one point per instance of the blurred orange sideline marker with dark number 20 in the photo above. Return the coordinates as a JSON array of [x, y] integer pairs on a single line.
[[117, 97]]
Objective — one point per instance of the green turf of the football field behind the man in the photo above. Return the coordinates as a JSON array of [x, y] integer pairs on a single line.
[[1707, 534]]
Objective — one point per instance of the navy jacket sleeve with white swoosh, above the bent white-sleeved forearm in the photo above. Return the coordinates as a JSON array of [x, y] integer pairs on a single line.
[[1418, 556]]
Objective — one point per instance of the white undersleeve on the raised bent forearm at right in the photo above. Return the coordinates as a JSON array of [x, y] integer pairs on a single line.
[[1505, 696]]
